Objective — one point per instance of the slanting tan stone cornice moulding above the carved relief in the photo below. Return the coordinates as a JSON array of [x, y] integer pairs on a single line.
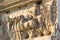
[[16, 4]]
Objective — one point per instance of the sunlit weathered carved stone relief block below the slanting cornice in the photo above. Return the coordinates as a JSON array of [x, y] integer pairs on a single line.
[[31, 22]]
